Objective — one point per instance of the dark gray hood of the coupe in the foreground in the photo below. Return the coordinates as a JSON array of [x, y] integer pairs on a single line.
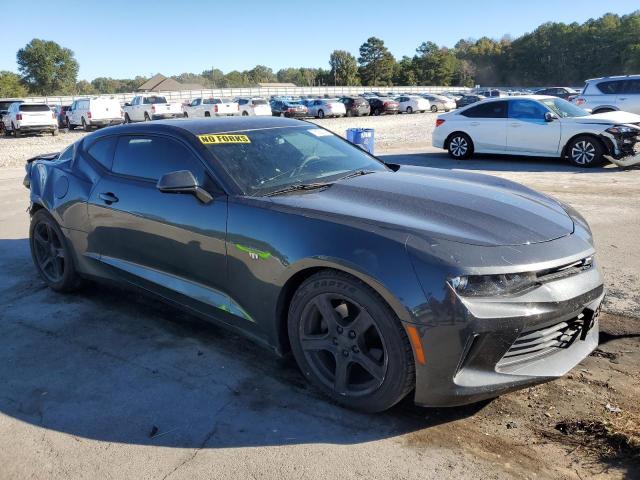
[[432, 203]]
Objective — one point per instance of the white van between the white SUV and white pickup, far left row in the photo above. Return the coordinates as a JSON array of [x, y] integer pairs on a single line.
[[94, 112]]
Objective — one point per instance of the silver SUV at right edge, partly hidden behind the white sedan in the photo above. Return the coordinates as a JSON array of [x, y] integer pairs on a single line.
[[611, 93]]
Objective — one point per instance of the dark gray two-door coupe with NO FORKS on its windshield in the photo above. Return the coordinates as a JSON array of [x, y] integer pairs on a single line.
[[381, 279]]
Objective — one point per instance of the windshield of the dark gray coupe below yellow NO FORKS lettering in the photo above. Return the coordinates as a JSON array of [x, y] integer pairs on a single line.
[[272, 159]]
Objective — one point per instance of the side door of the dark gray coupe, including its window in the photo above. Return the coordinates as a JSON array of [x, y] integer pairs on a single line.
[[171, 244]]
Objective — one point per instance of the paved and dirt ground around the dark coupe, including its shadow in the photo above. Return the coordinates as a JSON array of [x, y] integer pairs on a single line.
[[107, 384]]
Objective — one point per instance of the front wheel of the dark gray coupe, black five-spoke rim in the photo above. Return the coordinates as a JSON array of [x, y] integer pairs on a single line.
[[378, 368]]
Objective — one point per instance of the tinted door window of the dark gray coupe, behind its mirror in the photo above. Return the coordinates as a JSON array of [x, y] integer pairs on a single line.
[[151, 157]]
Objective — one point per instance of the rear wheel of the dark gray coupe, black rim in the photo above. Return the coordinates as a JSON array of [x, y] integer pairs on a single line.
[[59, 273]]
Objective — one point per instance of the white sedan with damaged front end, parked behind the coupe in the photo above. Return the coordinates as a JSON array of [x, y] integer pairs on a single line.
[[541, 126]]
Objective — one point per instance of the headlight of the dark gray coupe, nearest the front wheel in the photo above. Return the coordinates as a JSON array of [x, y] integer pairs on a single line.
[[492, 285]]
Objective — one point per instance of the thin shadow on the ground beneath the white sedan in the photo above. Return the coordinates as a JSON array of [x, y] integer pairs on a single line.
[[492, 163]]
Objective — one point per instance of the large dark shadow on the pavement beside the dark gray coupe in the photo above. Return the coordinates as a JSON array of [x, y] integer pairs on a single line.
[[113, 365]]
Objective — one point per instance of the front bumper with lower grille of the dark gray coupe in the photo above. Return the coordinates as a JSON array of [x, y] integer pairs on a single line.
[[499, 345]]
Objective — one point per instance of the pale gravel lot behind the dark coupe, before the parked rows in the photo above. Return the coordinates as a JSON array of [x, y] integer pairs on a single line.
[[392, 132]]
